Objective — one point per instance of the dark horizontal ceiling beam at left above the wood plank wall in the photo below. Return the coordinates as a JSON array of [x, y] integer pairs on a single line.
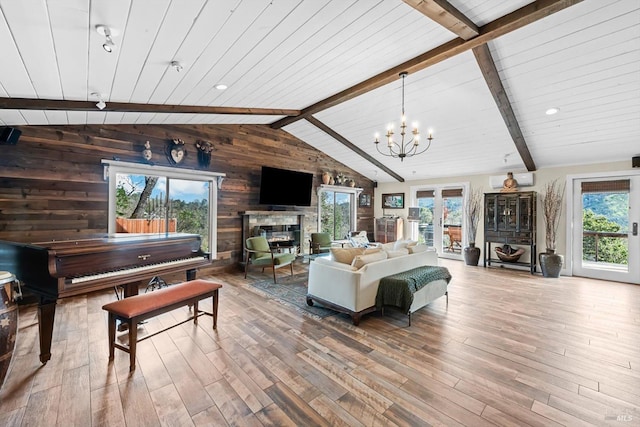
[[64, 105]]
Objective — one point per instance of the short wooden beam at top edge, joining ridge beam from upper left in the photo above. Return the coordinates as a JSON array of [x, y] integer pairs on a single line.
[[443, 13]]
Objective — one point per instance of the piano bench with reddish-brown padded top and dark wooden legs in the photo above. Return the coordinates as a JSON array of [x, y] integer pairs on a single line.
[[135, 309]]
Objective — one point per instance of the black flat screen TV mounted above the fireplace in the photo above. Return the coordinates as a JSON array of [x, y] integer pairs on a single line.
[[282, 187]]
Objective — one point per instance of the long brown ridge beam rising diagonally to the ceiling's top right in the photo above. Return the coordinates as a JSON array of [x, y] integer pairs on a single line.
[[517, 19]]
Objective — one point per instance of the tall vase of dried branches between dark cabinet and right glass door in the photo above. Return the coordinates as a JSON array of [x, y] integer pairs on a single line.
[[552, 199]]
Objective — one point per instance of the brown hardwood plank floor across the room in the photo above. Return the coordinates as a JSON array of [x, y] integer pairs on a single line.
[[509, 349]]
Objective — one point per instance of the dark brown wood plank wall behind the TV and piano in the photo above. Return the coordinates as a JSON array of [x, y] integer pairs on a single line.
[[52, 186]]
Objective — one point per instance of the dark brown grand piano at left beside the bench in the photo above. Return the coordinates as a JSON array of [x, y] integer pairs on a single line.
[[60, 269]]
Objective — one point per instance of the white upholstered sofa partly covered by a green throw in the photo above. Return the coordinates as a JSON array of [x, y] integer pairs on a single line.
[[353, 291]]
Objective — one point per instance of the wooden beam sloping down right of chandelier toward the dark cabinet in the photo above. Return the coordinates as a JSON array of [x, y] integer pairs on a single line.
[[491, 76]]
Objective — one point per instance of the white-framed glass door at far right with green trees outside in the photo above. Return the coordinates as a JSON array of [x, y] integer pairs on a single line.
[[605, 216]]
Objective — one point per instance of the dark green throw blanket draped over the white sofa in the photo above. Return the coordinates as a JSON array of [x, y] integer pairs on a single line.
[[397, 290]]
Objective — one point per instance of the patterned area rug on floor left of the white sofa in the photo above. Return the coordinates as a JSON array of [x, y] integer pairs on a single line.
[[292, 290]]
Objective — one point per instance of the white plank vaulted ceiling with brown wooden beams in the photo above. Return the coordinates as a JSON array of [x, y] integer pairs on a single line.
[[482, 73]]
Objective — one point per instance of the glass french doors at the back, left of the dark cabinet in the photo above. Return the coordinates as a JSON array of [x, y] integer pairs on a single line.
[[441, 218]]
